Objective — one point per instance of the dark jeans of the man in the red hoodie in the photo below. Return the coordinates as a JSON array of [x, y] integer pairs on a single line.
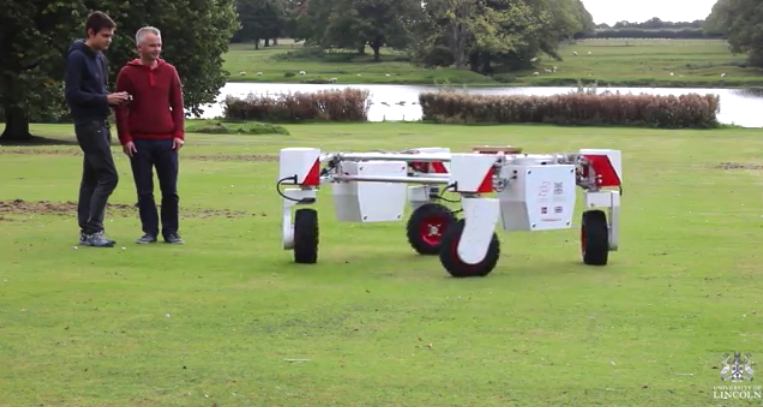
[[156, 153]]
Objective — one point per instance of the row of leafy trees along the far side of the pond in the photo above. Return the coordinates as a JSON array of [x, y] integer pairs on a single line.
[[483, 35]]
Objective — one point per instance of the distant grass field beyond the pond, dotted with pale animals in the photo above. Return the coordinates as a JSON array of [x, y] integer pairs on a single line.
[[694, 63]]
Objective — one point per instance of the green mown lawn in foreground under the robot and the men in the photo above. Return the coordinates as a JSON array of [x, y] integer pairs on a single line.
[[213, 322]]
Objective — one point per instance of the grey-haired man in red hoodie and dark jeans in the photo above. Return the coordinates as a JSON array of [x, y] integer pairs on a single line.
[[151, 130]]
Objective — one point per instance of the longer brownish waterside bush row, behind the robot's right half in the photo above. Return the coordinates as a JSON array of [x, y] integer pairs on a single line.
[[685, 111]]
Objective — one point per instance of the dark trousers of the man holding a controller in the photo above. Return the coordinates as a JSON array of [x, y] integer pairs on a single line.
[[99, 174]]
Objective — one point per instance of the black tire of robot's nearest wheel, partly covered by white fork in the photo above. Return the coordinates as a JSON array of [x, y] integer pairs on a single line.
[[458, 268]]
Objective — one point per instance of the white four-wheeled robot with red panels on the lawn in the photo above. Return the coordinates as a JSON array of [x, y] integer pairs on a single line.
[[532, 192]]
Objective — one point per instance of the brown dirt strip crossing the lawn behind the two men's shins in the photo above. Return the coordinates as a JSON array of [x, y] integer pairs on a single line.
[[69, 208]]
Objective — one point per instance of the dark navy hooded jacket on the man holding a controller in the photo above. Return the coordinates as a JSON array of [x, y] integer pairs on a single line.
[[86, 79]]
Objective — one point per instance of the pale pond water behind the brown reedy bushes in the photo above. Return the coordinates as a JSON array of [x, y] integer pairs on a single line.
[[400, 102]]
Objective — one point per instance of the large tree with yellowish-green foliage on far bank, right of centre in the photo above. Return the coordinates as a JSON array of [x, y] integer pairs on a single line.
[[488, 34]]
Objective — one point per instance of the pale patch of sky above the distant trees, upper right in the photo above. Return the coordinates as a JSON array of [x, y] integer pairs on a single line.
[[612, 11]]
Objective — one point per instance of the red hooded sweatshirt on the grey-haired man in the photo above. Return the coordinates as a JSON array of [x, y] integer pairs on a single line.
[[156, 110]]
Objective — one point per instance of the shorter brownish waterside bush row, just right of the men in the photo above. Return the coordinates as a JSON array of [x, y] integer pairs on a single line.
[[330, 105]]
